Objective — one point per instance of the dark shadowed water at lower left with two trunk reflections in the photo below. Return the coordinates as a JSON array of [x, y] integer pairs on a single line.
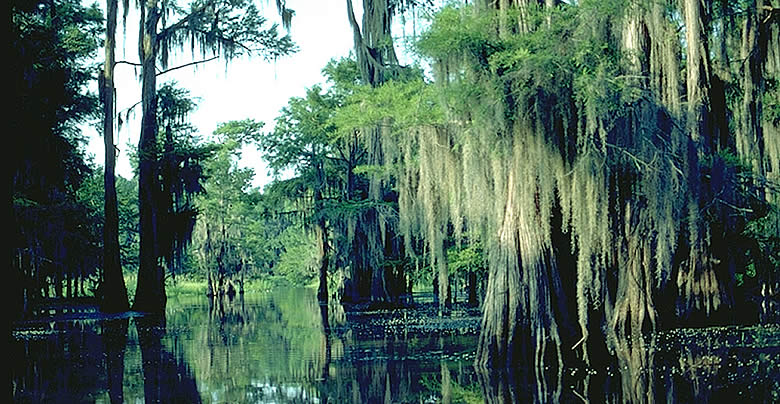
[[98, 361]]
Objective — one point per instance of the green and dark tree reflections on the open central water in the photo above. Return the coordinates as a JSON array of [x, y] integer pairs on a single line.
[[286, 347]]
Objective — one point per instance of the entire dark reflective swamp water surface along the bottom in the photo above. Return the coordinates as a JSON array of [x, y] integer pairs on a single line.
[[281, 347]]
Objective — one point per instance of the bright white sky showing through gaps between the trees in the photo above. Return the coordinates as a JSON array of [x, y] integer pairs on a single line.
[[253, 89]]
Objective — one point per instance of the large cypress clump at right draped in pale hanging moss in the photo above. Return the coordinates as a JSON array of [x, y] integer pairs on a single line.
[[616, 164]]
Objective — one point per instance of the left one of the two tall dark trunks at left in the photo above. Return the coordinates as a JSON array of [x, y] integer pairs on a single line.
[[114, 292]]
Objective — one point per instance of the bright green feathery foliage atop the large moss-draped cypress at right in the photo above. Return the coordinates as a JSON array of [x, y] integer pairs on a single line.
[[580, 61]]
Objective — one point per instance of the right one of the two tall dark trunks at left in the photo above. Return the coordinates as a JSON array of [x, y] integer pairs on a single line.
[[150, 292]]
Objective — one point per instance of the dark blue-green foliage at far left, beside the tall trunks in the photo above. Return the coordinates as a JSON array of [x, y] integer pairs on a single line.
[[55, 231]]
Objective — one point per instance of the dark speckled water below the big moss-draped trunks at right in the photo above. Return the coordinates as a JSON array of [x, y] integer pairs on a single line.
[[663, 369]]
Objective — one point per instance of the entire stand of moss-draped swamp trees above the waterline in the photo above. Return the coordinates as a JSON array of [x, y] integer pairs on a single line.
[[590, 171]]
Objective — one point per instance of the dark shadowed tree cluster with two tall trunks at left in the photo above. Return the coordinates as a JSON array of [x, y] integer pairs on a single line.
[[57, 241]]
